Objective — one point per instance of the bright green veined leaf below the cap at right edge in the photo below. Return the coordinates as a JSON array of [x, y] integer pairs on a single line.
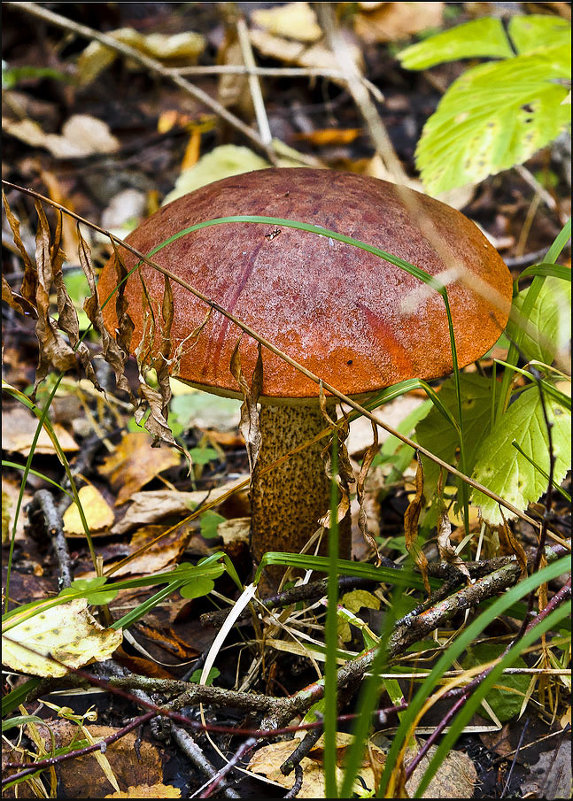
[[501, 467]]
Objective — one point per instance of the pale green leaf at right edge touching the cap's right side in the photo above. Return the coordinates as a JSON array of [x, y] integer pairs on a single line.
[[548, 325]]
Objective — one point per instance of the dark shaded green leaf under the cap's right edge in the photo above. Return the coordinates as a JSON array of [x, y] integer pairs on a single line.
[[435, 434]]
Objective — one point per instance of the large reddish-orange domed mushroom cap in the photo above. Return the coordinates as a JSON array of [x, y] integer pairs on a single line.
[[350, 317]]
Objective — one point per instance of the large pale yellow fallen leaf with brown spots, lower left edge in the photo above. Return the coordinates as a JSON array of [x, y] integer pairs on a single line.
[[68, 633]]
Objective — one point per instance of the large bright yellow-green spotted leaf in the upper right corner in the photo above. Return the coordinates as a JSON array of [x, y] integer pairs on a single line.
[[493, 117]]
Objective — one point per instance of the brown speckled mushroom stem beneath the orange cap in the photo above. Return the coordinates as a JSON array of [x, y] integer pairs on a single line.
[[288, 501]]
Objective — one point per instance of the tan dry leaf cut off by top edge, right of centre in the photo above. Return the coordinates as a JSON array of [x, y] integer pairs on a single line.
[[388, 22]]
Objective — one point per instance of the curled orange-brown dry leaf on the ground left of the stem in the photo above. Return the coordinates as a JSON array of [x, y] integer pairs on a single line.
[[134, 463]]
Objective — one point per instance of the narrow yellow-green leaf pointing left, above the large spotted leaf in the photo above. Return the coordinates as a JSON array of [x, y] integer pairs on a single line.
[[482, 37]]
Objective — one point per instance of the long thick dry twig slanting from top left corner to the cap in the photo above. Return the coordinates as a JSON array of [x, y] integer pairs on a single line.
[[149, 63]]
